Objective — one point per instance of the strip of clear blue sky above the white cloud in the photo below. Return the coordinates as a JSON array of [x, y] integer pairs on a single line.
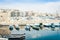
[[31, 1]]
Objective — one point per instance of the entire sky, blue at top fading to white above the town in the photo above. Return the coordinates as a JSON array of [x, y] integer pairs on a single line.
[[49, 6]]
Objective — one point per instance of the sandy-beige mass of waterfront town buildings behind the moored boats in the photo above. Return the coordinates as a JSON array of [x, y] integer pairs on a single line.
[[13, 16]]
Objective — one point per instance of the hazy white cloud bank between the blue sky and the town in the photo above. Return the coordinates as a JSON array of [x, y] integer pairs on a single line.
[[50, 7]]
